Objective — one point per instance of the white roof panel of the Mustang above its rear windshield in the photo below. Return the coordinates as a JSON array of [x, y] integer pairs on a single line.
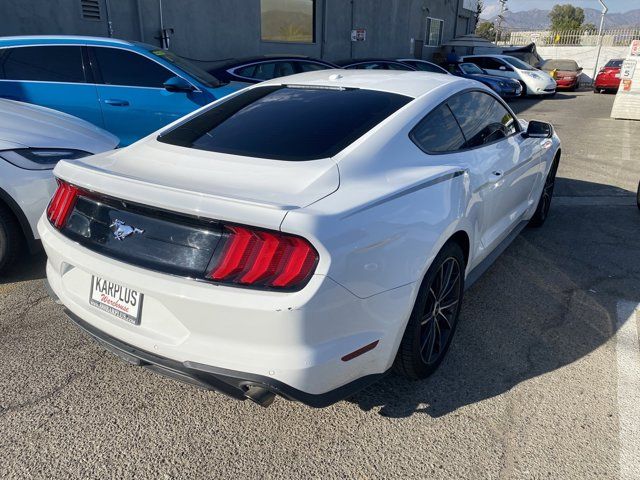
[[408, 83]]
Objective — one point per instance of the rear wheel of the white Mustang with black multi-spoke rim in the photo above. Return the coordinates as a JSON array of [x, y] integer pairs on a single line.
[[434, 317]]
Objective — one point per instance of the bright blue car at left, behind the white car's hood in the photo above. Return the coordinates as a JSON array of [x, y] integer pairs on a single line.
[[130, 89]]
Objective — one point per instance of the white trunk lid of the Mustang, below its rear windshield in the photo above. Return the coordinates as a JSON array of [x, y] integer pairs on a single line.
[[210, 185]]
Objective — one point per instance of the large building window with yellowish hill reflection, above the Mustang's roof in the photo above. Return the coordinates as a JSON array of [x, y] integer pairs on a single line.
[[288, 20]]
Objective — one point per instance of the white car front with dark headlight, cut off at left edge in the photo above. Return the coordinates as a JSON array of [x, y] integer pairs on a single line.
[[32, 140]]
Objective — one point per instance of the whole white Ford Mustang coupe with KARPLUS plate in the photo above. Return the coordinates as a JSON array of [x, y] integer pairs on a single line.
[[301, 237]]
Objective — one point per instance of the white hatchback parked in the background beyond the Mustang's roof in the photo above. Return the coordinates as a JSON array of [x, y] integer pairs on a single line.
[[533, 81]]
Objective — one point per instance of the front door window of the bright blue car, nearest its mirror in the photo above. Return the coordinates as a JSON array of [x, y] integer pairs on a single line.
[[120, 67]]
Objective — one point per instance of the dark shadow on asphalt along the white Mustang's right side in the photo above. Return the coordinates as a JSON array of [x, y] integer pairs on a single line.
[[548, 301]]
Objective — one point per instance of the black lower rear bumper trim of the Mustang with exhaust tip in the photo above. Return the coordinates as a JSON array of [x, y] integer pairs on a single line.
[[237, 385]]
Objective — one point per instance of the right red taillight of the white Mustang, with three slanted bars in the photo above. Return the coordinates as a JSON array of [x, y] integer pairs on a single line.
[[265, 259]]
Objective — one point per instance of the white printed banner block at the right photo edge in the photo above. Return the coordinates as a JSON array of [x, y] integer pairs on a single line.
[[627, 102]]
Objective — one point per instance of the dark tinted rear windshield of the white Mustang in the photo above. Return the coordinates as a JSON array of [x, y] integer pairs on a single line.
[[287, 122]]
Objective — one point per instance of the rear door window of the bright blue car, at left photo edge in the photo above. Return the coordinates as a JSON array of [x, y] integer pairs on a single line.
[[44, 64]]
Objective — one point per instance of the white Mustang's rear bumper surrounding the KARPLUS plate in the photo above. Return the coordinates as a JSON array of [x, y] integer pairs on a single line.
[[291, 344]]
